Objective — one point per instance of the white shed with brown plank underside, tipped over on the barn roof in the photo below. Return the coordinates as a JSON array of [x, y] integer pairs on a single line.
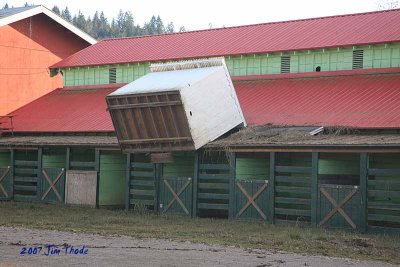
[[178, 106]]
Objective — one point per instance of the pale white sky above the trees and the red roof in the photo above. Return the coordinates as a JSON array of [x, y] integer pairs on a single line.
[[202, 14]]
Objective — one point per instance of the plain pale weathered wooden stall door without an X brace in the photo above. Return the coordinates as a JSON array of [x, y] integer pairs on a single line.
[[81, 188]]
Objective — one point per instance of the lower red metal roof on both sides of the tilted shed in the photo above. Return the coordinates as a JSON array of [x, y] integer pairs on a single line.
[[357, 99]]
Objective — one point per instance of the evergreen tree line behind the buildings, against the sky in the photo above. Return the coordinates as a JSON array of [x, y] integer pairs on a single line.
[[99, 27]]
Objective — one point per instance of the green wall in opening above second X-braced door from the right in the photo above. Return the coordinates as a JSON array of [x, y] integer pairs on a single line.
[[252, 166]]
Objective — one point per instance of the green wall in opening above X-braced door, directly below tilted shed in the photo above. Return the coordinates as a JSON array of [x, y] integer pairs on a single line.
[[183, 165]]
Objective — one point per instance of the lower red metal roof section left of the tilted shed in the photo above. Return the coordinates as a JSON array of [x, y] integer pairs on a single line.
[[67, 110]]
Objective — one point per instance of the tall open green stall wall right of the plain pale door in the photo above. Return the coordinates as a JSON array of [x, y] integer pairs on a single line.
[[112, 178]]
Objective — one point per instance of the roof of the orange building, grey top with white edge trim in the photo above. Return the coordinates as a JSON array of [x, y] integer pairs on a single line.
[[10, 15]]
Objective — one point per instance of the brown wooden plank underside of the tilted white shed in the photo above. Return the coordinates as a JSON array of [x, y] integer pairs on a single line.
[[150, 122]]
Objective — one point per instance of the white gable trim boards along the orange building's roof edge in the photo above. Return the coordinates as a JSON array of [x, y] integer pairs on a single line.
[[44, 10]]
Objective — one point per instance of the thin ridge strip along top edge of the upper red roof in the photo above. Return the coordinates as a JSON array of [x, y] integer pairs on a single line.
[[255, 24]]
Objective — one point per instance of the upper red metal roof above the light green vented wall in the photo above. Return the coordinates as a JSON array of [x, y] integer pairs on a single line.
[[334, 31]]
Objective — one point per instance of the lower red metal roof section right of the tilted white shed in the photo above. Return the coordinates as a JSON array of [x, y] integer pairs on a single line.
[[348, 98]]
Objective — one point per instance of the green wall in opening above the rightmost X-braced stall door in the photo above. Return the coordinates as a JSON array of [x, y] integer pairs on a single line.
[[339, 163]]
